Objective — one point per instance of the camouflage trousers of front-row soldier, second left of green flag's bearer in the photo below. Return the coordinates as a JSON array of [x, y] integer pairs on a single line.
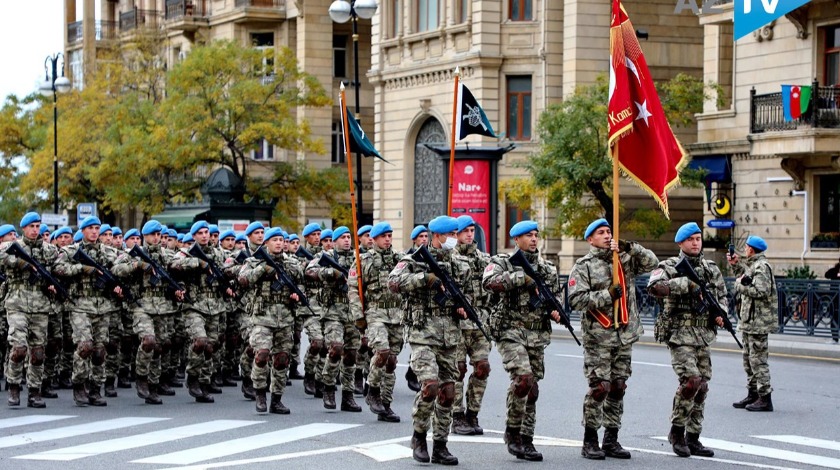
[[278, 342]]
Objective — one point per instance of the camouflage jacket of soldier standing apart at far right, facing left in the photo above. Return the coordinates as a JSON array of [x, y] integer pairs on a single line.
[[758, 311]]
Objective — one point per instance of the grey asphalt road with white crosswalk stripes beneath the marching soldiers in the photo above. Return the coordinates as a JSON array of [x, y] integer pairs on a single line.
[[802, 433]]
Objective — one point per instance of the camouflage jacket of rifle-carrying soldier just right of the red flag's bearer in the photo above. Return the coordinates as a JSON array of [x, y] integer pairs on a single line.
[[684, 321]]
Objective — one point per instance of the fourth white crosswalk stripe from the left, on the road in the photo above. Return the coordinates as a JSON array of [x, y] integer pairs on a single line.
[[246, 444]]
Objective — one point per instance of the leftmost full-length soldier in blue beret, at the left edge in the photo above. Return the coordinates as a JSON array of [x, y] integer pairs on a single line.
[[28, 308]]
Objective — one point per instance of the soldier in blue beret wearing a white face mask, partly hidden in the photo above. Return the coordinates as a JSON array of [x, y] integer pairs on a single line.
[[475, 345]]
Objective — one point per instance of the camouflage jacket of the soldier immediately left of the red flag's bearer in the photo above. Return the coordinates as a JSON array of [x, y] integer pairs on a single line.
[[512, 319]]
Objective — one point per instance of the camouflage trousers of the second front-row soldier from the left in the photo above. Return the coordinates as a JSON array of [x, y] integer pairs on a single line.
[[93, 329]]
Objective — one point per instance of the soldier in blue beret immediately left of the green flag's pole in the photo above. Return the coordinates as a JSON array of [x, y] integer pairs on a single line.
[[340, 333]]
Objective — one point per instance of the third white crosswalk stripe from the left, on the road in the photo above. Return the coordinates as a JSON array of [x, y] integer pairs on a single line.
[[138, 440]]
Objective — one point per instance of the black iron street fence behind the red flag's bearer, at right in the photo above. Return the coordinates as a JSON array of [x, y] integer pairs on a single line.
[[806, 307]]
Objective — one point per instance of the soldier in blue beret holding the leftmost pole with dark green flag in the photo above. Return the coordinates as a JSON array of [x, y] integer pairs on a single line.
[[380, 320]]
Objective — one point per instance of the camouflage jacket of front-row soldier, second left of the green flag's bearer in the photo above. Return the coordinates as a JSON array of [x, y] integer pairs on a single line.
[[274, 309]]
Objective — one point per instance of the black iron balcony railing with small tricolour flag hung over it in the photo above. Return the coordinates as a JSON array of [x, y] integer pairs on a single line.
[[767, 113]]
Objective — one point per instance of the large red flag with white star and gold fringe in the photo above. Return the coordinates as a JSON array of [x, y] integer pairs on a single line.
[[649, 152]]
